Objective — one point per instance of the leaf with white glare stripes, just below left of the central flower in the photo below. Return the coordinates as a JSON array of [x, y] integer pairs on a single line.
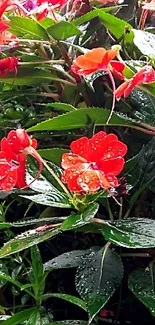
[[55, 199]]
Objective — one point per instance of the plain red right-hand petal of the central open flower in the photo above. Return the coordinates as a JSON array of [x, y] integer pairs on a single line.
[[111, 166]]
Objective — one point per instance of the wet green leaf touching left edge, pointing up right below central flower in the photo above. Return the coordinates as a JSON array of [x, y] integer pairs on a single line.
[[26, 240]]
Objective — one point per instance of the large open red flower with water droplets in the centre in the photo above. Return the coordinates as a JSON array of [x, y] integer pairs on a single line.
[[94, 163]]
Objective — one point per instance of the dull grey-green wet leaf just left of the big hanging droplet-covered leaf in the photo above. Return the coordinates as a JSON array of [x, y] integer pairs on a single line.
[[68, 260]]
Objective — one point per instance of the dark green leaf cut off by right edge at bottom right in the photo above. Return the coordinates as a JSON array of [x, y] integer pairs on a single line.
[[142, 284]]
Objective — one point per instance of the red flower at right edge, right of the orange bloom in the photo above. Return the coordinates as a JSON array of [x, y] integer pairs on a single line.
[[145, 75]]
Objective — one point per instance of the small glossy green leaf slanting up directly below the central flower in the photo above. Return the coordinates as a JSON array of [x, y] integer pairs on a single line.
[[78, 220]]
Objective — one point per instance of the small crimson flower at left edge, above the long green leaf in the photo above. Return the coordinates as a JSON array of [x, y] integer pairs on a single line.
[[10, 64]]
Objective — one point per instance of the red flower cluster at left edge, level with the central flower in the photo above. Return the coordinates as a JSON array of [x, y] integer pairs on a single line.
[[13, 159]]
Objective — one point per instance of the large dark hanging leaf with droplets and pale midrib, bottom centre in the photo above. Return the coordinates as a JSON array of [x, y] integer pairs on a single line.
[[97, 279]]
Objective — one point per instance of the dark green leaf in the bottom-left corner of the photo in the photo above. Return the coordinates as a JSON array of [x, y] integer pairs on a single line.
[[19, 318]]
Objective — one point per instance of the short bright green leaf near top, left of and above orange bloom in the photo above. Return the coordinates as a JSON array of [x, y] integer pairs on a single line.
[[63, 30]]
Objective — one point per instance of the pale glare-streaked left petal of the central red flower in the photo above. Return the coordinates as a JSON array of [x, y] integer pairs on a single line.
[[70, 160]]
